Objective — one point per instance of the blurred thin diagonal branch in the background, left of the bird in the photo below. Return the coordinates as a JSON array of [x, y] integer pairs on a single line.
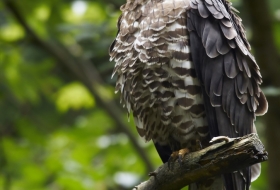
[[87, 74]]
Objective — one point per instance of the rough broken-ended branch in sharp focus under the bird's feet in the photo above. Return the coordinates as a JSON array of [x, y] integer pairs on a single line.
[[214, 160]]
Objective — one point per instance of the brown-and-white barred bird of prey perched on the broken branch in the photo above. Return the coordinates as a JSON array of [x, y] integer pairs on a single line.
[[186, 73]]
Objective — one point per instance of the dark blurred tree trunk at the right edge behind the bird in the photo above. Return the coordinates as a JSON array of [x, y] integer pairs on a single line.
[[268, 58]]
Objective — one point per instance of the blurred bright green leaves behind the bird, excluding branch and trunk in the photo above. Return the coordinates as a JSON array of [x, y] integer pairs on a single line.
[[53, 134]]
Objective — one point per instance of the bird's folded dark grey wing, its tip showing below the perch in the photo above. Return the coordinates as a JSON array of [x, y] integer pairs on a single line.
[[228, 73]]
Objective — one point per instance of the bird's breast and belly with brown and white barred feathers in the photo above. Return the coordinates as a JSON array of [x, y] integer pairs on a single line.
[[156, 75]]
